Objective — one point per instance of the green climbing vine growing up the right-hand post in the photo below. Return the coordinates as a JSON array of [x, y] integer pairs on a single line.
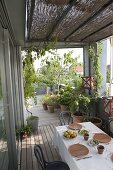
[[96, 64]]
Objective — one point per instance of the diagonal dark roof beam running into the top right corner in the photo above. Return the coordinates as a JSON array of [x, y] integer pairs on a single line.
[[90, 18]]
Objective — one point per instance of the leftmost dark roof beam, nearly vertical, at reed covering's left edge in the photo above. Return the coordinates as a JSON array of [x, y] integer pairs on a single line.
[[31, 17]]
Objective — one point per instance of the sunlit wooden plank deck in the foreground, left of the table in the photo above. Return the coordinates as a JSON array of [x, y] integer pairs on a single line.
[[44, 138]]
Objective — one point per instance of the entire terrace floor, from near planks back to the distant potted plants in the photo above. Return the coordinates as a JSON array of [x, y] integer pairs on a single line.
[[47, 122]]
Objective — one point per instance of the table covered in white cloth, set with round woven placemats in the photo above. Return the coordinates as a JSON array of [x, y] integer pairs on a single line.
[[96, 162]]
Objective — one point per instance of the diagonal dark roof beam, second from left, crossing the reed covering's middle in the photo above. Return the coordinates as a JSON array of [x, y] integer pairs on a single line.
[[59, 20]]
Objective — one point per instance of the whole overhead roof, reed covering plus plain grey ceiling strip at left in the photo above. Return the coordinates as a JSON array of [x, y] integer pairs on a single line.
[[73, 22]]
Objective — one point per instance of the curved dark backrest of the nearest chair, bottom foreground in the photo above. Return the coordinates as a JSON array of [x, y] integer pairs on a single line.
[[39, 155]]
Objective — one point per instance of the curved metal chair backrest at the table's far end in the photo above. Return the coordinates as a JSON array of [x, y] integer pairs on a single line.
[[65, 117]]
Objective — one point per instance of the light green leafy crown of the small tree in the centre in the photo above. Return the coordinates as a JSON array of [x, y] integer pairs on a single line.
[[56, 69]]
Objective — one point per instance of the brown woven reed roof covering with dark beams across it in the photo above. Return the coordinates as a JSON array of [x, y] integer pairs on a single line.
[[80, 21]]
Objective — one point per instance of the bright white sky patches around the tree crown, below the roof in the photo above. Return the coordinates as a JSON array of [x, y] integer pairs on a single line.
[[76, 52]]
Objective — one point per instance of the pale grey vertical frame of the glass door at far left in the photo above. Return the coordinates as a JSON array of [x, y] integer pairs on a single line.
[[8, 100]]
